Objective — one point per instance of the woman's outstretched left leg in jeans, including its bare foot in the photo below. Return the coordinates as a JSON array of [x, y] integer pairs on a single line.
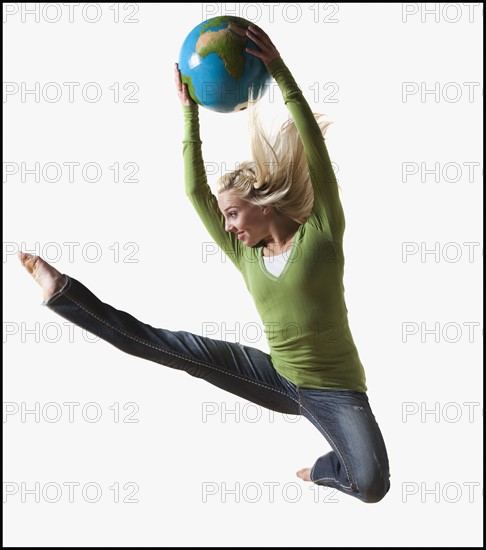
[[241, 370]]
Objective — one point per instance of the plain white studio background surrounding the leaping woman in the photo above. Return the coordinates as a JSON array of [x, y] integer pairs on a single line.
[[207, 480]]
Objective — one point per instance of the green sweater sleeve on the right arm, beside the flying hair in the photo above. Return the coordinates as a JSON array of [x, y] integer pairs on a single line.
[[327, 212]]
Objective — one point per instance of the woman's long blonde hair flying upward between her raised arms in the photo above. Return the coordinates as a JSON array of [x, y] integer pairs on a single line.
[[278, 174]]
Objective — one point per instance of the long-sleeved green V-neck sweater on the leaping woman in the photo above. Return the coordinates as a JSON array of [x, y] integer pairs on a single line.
[[303, 310]]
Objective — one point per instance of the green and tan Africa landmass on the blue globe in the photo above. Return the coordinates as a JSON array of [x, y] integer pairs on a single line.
[[228, 45]]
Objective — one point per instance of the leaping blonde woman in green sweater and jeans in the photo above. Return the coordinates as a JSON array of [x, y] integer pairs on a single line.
[[280, 221]]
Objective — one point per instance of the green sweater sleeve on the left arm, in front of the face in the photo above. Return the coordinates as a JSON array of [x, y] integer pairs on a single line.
[[198, 190]]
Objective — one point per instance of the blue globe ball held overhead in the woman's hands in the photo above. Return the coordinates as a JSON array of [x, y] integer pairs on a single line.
[[219, 73]]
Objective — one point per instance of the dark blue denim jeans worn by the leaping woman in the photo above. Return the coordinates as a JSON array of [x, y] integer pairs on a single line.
[[357, 464]]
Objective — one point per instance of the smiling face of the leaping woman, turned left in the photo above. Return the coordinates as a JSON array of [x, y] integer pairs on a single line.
[[243, 218]]
